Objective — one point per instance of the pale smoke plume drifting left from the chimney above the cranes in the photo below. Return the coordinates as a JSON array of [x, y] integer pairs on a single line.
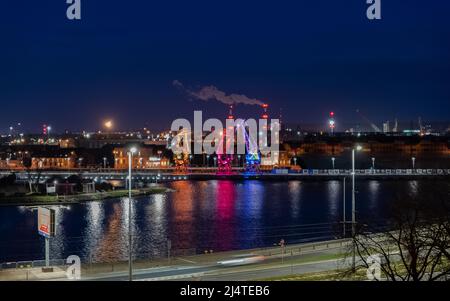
[[212, 93]]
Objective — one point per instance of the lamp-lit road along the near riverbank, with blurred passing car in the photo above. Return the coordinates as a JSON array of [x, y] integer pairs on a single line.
[[297, 259]]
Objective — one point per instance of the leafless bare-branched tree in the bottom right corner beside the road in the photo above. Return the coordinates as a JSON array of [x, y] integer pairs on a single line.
[[413, 242]]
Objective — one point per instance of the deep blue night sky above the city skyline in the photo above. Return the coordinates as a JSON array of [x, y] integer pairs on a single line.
[[306, 57]]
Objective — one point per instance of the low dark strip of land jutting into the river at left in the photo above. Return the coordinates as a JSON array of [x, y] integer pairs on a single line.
[[34, 199]]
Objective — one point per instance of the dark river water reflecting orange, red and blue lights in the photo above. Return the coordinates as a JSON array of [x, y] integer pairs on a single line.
[[213, 215]]
